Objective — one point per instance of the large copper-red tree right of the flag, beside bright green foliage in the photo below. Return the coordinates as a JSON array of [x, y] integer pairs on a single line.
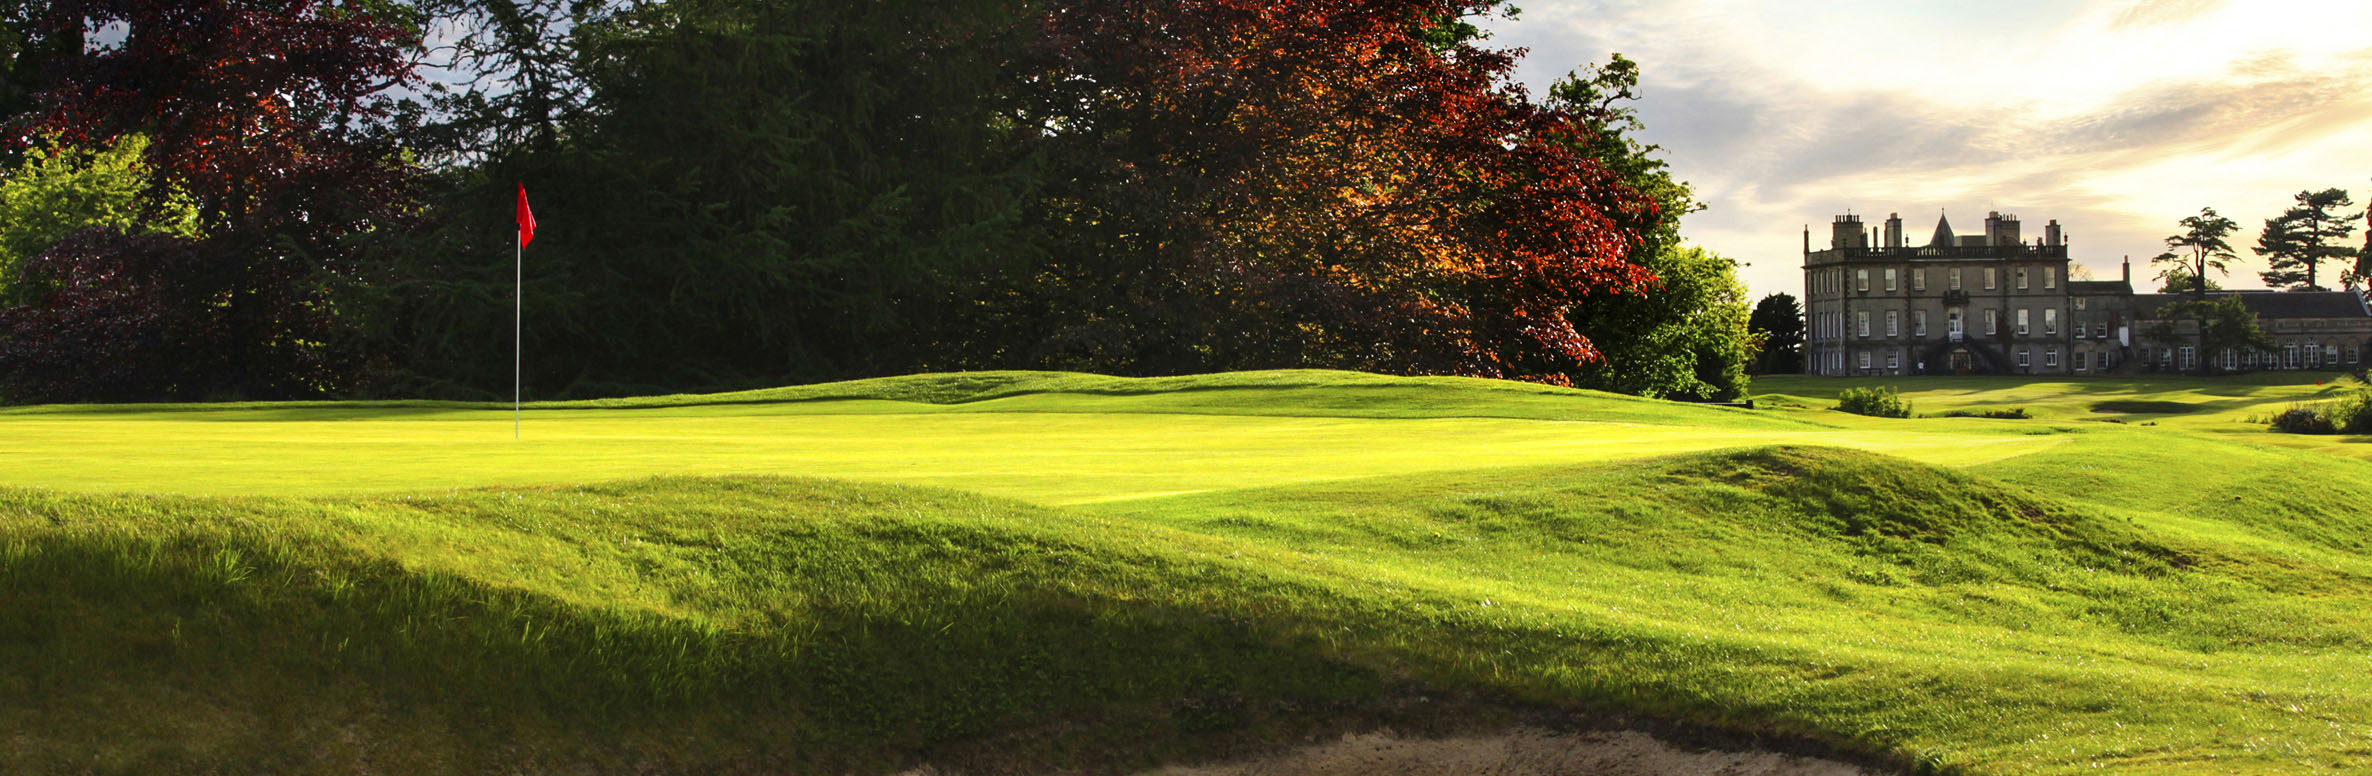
[[1351, 184]]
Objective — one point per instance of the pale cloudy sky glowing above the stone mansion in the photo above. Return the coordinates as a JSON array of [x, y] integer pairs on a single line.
[[2115, 117]]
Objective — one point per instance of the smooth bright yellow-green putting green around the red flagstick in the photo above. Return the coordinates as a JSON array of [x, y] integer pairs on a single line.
[[1088, 440]]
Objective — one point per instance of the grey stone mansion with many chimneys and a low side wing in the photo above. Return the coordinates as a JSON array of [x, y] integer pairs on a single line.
[[1998, 305]]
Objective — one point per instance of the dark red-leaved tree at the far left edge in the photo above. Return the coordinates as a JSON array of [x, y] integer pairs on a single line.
[[264, 115]]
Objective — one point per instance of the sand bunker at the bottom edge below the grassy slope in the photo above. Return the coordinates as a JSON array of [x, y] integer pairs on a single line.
[[1519, 753]]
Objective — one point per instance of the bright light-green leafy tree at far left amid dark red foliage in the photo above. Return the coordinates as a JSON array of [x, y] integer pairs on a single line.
[[63, 191]]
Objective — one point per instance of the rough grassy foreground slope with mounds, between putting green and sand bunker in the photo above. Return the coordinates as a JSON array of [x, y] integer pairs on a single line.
[[1880, 606]]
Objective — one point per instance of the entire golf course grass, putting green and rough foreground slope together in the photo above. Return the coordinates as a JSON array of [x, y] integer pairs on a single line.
[[1095, 573]]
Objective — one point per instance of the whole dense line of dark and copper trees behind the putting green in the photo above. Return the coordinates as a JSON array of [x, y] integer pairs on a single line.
[[748, 193]]
